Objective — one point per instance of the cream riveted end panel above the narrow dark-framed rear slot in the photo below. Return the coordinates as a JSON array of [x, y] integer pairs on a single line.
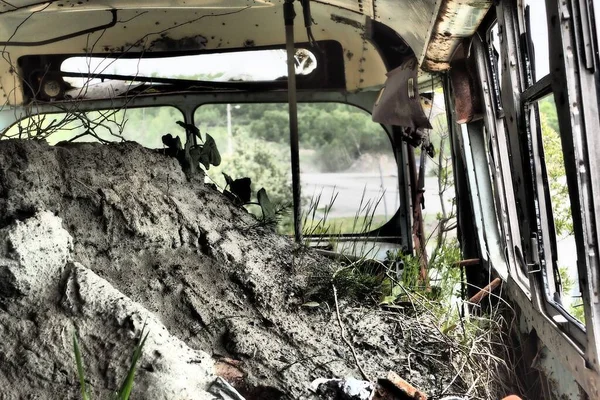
[[140, 30]]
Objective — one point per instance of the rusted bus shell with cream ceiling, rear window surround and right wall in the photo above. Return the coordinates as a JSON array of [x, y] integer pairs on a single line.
[[484, 56]]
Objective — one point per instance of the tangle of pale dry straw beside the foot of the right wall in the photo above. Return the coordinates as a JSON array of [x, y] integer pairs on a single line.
[[479, 346]]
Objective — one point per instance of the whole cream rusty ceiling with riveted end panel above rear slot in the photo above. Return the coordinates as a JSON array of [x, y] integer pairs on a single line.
[[64, 26]]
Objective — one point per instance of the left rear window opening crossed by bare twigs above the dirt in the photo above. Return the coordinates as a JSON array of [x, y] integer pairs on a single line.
[[142, 125]]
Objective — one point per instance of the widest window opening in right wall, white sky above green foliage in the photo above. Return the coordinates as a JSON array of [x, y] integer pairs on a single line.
[[558, 260]]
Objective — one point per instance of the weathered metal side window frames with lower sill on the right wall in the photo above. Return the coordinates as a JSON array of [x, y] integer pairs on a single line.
[[577, 113]]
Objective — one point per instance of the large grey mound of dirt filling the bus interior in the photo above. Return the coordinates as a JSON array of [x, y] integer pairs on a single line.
[[106, 239]]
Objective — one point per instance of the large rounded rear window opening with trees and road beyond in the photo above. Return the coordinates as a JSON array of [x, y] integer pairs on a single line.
[[348, 169]]
